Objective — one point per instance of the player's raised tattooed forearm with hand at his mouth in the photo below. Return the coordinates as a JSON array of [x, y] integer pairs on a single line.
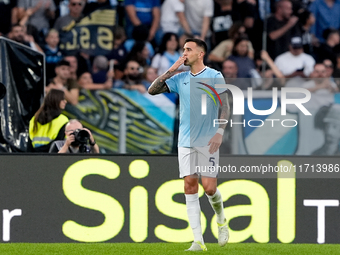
[[158, 86]]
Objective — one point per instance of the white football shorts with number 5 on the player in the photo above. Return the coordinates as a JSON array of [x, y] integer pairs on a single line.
[[198, 160]]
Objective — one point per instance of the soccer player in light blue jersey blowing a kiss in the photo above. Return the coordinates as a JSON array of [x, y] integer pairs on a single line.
[[199, 140]]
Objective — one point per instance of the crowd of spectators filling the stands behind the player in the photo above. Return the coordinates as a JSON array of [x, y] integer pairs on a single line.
[[149, 36]]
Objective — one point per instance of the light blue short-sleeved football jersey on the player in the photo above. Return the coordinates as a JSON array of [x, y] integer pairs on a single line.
[[195, 129]]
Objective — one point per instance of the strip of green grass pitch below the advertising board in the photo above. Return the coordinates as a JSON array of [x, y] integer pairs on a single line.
[[164, 248]]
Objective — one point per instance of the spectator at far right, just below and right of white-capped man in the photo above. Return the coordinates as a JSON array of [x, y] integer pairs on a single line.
[[320, 83]]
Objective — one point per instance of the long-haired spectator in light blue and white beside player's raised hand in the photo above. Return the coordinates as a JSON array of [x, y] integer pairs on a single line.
[[167, 54]]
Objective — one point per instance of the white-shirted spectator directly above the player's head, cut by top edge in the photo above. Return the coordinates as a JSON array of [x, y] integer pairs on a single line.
[[199, 14]]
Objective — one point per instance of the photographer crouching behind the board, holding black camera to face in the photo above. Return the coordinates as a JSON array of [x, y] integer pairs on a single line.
[[76, 141]]
